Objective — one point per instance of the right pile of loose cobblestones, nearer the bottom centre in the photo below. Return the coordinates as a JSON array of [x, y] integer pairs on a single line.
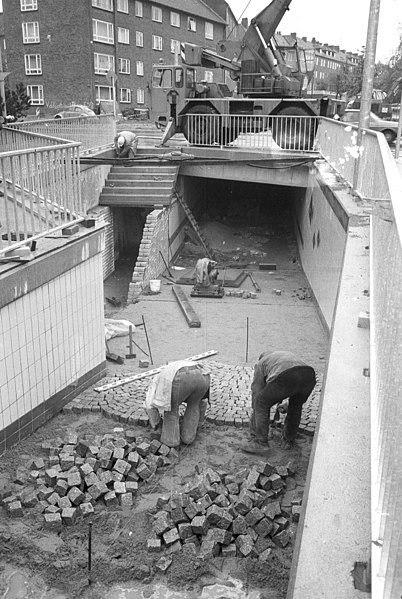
[[243, 515]]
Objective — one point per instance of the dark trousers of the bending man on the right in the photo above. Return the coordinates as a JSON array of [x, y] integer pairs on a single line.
[[296, 384]]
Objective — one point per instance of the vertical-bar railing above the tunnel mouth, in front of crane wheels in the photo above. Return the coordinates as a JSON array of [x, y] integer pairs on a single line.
[[250, 131]]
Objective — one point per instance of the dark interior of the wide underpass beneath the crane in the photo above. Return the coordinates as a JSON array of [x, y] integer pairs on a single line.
[[255, 220]]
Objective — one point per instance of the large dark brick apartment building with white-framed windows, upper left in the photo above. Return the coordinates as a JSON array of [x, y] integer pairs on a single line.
[[80, 51]]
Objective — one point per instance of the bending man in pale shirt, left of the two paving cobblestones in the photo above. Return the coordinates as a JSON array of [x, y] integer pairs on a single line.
[[177, 383]]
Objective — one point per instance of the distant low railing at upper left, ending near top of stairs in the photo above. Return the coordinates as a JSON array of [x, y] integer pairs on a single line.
[[91, 132]]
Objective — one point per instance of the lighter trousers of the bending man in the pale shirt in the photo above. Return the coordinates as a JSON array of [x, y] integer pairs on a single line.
[[189, 386]]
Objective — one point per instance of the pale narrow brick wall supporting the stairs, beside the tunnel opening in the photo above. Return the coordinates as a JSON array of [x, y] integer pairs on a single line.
[[149, 263]]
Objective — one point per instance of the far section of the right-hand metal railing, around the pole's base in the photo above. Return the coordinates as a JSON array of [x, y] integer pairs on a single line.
[[363, 167]]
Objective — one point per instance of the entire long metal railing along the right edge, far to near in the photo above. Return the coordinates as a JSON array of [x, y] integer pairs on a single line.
[[371, 171]]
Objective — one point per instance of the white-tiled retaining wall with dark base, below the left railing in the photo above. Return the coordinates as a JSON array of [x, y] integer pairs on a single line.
[[51, 334]]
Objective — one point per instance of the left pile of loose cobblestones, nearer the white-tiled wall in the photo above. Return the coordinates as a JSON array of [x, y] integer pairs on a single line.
[[79, 474]]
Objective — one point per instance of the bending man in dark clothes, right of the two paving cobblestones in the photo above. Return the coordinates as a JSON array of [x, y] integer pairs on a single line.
[[278, 375]]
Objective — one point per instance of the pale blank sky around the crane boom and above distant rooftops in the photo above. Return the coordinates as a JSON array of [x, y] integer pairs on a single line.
[[338, 22]]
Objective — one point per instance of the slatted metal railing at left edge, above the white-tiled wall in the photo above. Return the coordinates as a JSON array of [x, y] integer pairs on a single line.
[[39, 187]]
